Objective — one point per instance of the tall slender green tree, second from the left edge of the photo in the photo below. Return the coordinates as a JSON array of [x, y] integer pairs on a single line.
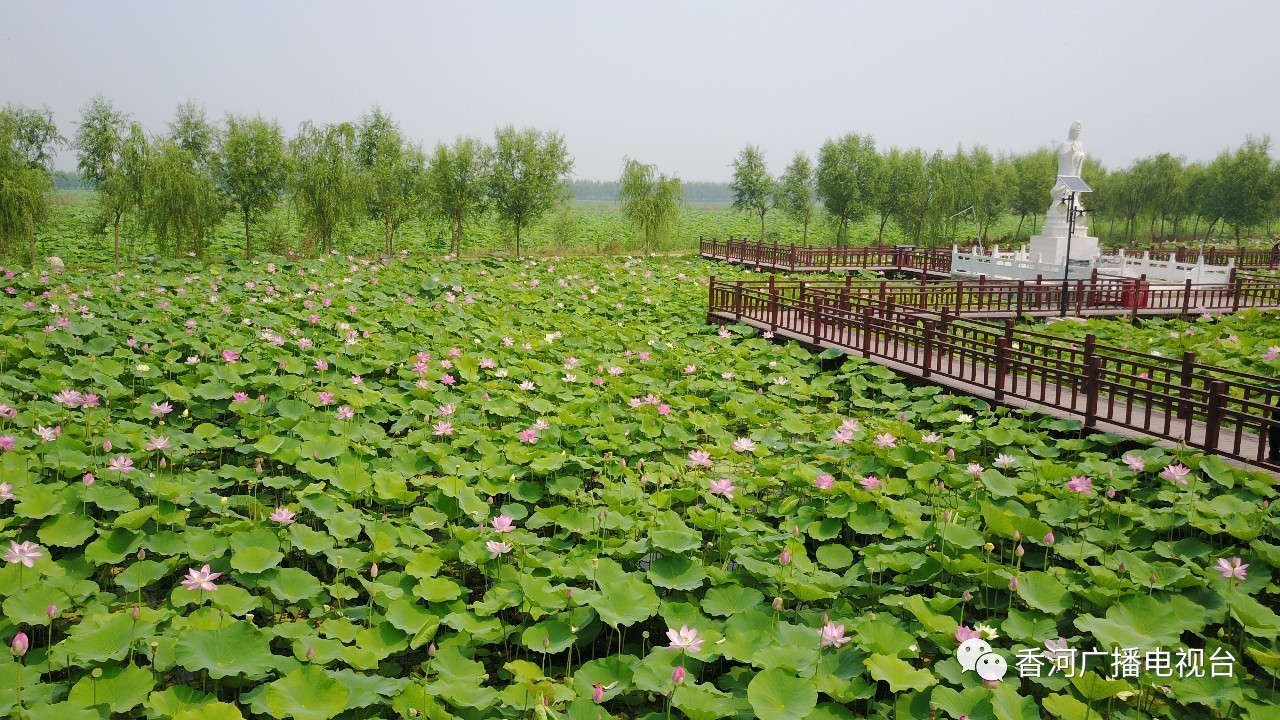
[[111, 153]]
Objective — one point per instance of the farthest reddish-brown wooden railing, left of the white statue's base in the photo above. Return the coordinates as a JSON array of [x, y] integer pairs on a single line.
[[811, 258]]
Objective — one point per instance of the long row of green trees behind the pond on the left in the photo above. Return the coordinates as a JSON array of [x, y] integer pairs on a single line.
[[181, 184]]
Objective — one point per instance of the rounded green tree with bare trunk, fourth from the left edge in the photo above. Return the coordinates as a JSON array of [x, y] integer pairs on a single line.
[[252, 168]]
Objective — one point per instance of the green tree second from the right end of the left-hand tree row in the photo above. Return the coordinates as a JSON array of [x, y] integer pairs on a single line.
[[458, 184]]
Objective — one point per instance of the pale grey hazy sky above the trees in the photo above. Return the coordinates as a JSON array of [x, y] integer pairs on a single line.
[[682, 85]]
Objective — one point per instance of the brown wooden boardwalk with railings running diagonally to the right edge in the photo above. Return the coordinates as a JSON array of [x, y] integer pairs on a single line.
[[1178, 399]]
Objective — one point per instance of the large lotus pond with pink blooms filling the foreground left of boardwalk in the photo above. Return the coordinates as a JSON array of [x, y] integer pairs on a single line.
[[548, 490]]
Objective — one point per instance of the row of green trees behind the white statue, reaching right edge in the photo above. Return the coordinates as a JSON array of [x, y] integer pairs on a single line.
[[929, 195]]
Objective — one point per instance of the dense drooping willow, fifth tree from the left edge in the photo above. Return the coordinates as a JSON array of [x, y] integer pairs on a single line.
[[327, 186]]
